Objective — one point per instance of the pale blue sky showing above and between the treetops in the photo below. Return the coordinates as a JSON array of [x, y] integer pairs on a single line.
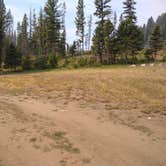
[[145, 9]]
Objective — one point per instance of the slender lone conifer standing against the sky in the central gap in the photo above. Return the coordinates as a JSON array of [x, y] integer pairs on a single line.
[[80, 22]]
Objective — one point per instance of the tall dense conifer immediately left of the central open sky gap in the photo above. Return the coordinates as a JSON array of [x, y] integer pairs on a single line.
[[52, 16]]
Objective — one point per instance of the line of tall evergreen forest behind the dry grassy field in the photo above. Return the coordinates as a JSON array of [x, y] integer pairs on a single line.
[[40, 38]]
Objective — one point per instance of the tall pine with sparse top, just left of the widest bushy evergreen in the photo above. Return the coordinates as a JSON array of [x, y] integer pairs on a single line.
[[103, 10]]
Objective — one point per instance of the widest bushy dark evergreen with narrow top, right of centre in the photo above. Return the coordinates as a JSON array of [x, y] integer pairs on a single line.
[[130, 36]]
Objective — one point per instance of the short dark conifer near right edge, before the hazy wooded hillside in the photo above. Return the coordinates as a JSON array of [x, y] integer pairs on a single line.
[[155, 40]]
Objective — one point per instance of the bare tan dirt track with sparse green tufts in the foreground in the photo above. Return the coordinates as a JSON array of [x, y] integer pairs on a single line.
[[39, 133]]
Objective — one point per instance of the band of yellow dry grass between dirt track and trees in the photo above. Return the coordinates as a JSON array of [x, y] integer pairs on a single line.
[[122, 88]]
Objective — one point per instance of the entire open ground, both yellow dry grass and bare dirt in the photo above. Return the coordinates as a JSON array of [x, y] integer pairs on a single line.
[[96, 117]]
